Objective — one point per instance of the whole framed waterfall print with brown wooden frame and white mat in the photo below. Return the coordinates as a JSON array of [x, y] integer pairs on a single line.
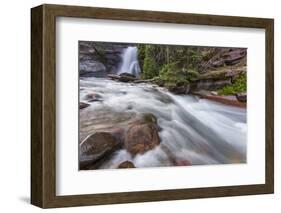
[[136, 106]]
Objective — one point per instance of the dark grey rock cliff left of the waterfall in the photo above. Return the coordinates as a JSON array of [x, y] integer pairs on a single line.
[[97, 59]]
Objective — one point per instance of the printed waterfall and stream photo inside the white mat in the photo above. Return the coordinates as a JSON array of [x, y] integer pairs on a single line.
[[174, 117]]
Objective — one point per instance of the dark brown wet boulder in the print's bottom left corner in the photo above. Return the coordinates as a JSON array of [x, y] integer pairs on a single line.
[[96, 148]]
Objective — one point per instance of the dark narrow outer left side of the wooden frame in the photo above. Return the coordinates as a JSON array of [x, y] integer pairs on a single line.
[[36, 106]]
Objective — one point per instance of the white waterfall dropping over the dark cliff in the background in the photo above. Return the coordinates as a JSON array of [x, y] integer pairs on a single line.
[[130, 62]]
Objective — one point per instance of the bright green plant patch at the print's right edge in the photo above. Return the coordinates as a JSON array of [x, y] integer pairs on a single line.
[[240, 85]]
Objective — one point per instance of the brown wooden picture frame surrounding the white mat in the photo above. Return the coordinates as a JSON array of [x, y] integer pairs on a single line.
[[43, 106]]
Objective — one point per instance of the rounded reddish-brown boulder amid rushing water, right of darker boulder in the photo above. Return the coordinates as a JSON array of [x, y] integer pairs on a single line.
[[142, 135]]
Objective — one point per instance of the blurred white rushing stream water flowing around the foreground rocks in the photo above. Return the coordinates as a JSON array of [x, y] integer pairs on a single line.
[[194, 131]]
